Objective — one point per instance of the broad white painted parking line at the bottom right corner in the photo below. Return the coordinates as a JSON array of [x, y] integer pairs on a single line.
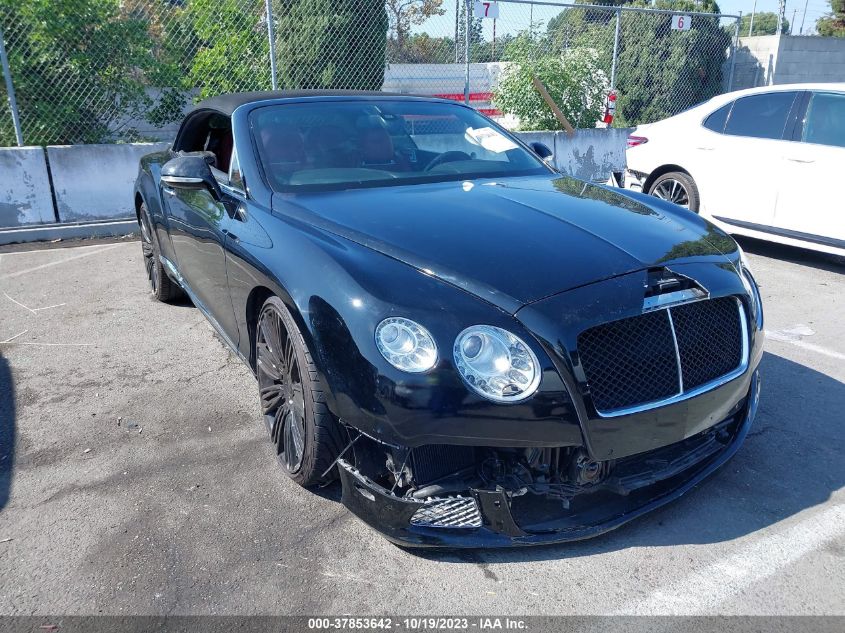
[[703, 591]]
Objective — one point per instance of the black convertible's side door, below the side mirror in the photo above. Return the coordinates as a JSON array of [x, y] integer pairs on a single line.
[[200, 226]]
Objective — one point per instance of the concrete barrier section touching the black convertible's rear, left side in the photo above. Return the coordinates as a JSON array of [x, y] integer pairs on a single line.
[[94, 182]]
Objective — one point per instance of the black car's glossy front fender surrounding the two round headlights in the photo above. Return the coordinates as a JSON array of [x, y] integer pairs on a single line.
[[338, 291]]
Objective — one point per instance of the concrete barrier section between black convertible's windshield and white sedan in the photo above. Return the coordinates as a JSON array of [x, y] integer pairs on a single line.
[[591, 154]]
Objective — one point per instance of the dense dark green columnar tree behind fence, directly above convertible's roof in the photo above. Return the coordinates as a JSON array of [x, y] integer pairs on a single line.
[[331, 43]]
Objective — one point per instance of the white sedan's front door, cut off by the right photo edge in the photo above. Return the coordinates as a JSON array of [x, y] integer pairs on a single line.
[[810, 204]]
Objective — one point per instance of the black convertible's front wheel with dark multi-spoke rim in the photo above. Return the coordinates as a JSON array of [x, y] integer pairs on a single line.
[[306, 436]]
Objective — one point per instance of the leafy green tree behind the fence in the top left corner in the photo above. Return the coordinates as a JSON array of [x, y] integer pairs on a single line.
[[79, 68]]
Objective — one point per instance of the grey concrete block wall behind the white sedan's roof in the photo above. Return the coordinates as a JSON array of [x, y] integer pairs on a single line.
[[767, 59]]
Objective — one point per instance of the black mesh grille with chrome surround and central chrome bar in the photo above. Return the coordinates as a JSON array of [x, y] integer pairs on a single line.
[[663, 355]]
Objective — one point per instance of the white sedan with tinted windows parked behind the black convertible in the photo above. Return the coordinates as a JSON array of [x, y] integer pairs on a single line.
[[766, 162]]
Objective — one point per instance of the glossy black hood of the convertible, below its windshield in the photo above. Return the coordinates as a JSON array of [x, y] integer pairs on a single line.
[[516, 241]]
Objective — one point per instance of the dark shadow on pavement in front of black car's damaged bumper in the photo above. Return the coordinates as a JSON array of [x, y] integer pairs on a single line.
[[791, 461]]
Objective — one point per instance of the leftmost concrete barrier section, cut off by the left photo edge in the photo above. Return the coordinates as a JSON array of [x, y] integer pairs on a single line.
[[25, 196]]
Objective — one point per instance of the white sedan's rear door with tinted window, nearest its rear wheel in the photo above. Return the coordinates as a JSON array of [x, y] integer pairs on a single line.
[[739, 183]]
